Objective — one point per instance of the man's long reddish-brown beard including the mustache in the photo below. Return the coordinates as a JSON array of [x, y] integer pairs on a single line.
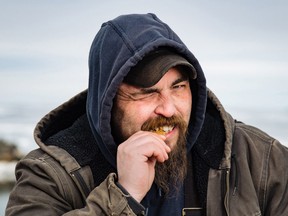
[[170, 175]]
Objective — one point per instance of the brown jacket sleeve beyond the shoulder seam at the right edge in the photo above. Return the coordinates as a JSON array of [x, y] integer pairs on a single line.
[[276, 184]]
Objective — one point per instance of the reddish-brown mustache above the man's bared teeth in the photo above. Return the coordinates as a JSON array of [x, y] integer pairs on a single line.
[[160, 121]]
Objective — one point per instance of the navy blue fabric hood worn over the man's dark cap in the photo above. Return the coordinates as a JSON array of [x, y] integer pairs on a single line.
[[118, 46]]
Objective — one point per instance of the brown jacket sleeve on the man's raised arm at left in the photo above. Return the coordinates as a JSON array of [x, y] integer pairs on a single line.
[[42, 188]]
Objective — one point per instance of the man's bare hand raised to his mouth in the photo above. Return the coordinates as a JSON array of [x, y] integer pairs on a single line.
[[136, 159]]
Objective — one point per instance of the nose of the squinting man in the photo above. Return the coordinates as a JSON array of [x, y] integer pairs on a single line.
[[166, 106]]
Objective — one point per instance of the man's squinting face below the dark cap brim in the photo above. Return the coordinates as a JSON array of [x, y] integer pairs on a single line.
[[170, 98]]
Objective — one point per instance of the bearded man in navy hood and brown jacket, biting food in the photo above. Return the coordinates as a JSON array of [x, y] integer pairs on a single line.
[[148, 138]]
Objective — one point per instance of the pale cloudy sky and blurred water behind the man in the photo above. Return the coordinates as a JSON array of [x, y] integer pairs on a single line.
[[241, 45]]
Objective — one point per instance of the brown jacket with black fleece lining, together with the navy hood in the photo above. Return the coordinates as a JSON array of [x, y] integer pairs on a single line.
[[238, 169]]
